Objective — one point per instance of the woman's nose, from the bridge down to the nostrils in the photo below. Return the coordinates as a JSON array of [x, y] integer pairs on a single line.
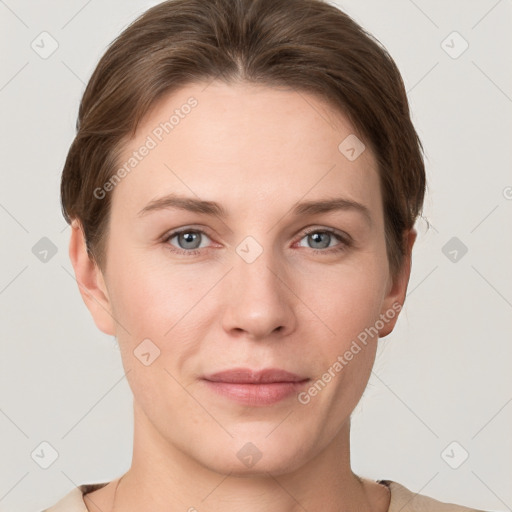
[[258, 302]]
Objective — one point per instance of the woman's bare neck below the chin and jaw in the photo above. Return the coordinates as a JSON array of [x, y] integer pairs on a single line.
[[164, 477]]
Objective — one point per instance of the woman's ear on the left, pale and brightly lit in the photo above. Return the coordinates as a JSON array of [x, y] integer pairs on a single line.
[[90, 281]]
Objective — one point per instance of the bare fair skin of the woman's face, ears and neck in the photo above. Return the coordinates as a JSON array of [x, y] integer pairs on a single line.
[[257, 151]]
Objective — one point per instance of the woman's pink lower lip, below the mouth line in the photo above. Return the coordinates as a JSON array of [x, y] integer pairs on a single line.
[[256, 394]]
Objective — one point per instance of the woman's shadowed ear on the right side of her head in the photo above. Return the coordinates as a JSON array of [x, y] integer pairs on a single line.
[[397, 288]]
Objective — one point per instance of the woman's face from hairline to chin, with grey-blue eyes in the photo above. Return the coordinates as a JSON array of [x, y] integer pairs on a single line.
[[270, 277]]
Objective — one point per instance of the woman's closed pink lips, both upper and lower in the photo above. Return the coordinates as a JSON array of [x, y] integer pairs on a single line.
[[252, 387]]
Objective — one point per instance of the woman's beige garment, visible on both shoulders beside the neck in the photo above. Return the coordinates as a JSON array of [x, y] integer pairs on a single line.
[[402, 500]]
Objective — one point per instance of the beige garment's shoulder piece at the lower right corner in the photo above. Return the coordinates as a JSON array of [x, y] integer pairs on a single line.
[[404, 500]]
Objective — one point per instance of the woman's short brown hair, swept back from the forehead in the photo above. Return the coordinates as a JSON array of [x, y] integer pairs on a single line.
[[308, 45]]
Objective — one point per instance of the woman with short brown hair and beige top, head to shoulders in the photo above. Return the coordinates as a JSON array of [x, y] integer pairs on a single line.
[[242, 192]]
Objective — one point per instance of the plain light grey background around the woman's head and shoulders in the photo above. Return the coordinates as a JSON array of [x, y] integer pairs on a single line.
[[442, 376]]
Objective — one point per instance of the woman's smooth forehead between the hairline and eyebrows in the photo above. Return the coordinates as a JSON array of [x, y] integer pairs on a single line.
[[247, 144]]
